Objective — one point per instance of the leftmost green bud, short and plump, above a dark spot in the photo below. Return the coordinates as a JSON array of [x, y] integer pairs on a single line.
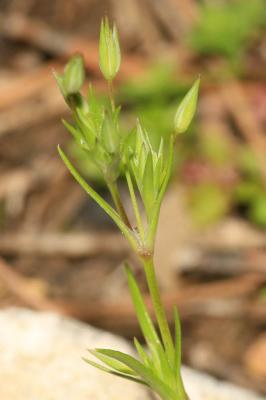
[[74, 75]]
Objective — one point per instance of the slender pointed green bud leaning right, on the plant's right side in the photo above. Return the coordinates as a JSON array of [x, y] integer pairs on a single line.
[[186, 109]]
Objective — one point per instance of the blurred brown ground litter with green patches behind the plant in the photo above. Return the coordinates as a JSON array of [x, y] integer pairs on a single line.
[[58, 251]]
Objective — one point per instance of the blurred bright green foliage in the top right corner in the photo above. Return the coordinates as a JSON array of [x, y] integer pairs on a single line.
[[226, 28]]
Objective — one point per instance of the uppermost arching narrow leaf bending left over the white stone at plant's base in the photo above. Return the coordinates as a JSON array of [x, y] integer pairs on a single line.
[[144, 372]]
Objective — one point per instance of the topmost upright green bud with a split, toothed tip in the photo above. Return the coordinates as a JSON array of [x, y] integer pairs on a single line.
[[109, 51]]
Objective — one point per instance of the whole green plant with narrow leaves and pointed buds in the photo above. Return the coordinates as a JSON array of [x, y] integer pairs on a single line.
[[96, 129]]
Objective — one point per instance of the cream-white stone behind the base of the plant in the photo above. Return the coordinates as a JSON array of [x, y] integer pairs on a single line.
[[40, 359]]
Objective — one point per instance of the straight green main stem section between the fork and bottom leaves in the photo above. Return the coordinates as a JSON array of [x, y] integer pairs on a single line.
[[158, 308]]
